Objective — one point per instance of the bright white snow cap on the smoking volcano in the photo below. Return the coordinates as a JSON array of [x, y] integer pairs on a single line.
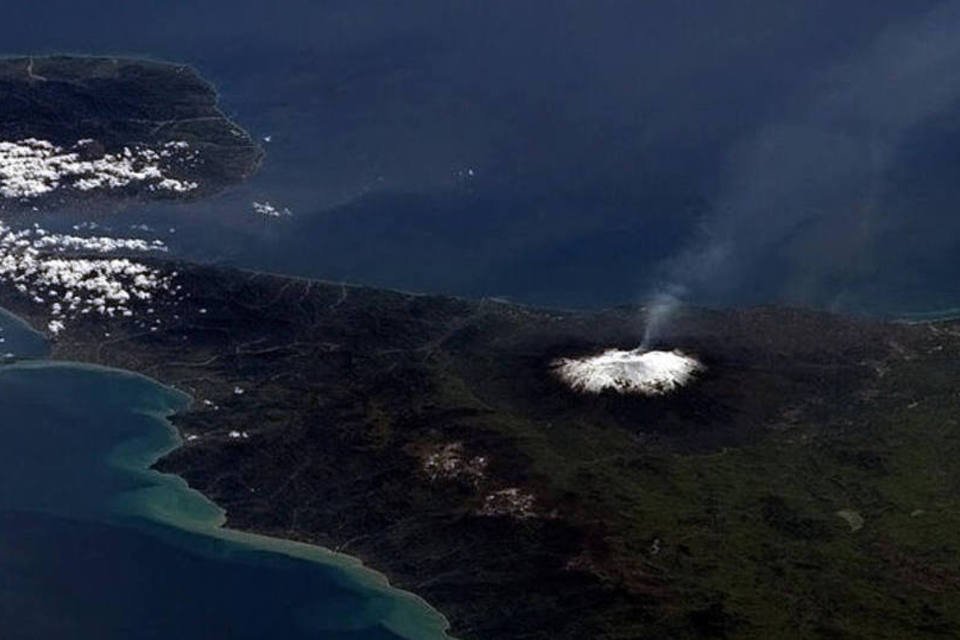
[[635, 371]]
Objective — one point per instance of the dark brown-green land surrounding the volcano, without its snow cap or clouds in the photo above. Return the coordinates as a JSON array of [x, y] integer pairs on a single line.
[[805, 486]]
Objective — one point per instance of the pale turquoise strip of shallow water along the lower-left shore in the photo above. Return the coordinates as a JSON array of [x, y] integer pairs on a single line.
[[170, 501]]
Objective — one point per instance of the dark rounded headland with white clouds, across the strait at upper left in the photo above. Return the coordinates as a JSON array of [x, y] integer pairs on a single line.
[[83, 131]]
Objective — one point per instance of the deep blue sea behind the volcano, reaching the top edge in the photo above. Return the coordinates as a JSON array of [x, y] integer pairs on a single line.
[[568, 153]]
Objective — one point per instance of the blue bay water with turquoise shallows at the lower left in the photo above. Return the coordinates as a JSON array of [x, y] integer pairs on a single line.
[[94, 545]]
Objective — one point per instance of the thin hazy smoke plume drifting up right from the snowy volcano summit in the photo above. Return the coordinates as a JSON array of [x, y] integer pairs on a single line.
[[801, 198]]
